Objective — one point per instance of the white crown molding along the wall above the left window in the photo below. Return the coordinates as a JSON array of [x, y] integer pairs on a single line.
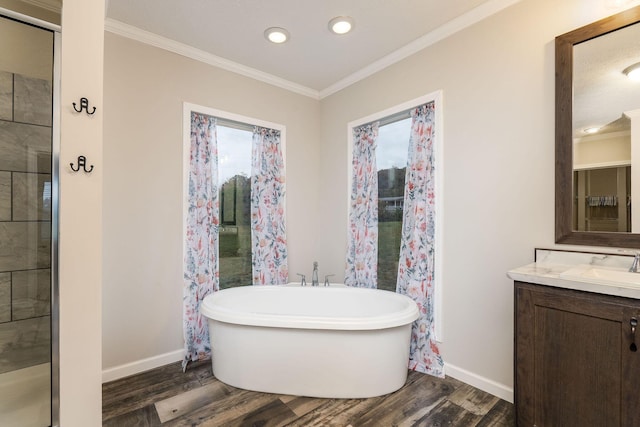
[[134, 33]]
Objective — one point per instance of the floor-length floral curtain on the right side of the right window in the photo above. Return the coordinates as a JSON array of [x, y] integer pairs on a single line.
[[416, 266]]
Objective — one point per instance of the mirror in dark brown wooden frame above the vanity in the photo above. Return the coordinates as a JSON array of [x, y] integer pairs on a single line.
[[597, 124]]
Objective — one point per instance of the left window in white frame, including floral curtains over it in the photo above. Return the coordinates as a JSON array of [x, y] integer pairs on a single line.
[[239, 259]]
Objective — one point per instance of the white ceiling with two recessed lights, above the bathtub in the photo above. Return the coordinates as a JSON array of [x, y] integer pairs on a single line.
[[314, 59]]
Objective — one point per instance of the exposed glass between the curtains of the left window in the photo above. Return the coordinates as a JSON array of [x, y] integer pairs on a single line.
[[234, 180]]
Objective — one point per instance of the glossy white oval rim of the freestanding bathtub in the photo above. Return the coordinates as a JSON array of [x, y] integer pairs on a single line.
[[408, 314]]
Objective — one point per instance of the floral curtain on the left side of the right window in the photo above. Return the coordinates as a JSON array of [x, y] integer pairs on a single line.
[[362, 241]]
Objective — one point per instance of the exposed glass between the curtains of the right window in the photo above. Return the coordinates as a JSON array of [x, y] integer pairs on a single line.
[[391, 159]]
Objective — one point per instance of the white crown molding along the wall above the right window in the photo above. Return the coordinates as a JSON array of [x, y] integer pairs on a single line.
[[458, 24]]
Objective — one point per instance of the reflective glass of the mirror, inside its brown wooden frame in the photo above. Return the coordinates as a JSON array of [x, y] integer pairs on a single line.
[[606, 116]]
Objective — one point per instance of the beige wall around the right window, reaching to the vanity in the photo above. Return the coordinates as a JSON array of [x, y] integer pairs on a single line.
[[497, 79]]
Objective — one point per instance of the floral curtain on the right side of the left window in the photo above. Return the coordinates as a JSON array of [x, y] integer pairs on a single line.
[[268, 237]]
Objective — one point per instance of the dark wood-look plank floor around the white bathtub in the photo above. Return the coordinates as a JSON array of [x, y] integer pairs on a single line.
[[168, 397]]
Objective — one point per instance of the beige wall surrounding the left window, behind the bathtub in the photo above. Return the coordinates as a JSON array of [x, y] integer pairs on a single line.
[[145, 88]]
